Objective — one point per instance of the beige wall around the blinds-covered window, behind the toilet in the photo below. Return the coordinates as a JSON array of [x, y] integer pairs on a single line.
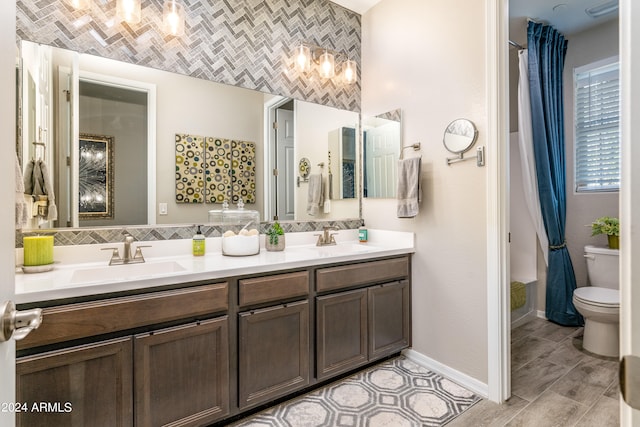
[[584, 48]]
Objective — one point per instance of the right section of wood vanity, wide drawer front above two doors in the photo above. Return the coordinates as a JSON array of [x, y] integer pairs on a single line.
[[358, 326]]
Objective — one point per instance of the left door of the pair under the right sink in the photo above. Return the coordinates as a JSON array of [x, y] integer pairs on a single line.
[[341, 332]]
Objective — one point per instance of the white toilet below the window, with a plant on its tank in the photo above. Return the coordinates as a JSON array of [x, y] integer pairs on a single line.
[[599, 303]]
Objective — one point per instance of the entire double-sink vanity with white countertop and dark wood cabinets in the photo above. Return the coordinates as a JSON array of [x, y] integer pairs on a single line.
[[183, 340]]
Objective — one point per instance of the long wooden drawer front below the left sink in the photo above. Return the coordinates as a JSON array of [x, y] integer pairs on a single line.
[[73, 321]]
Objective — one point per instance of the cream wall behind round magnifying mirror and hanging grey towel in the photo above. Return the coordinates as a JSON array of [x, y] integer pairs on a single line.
[[428, 58]]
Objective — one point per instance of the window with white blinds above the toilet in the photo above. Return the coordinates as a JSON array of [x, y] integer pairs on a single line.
[[597, 126]]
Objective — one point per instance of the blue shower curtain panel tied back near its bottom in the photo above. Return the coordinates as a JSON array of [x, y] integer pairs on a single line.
[[547, 49]]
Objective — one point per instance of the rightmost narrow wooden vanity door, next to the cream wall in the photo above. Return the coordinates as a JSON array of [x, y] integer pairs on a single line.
[[389, 319]]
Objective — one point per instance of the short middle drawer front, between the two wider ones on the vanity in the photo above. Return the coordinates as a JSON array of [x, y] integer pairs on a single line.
[[273, 288]]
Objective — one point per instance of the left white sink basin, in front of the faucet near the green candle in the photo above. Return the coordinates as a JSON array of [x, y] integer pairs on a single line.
[[125, 271]]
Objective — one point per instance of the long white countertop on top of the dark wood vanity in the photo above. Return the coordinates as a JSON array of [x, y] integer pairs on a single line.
[[83, 269]]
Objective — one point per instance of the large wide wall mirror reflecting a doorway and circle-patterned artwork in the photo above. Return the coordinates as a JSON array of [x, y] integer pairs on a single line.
[[68, 97]]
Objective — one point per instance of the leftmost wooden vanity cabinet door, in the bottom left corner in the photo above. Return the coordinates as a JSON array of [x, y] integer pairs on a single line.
[[80, 386]]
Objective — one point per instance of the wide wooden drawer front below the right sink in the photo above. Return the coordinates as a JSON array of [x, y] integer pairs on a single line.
[[344, 276]]
